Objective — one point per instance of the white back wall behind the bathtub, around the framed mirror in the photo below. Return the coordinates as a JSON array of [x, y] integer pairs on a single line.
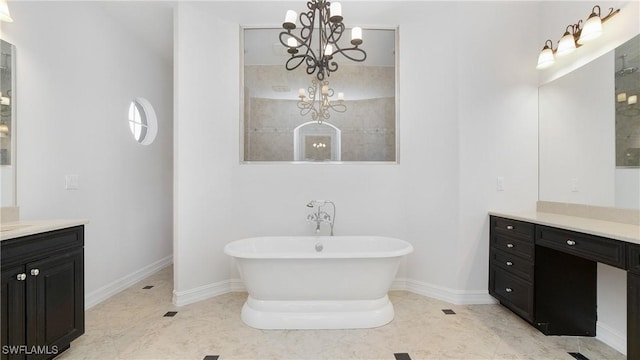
[[467, 115]]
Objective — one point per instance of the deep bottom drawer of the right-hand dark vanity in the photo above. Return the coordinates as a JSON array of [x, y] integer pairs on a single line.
[[513, 292]]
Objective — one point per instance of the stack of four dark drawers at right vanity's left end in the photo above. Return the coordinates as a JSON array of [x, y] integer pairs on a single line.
[[511, 271]]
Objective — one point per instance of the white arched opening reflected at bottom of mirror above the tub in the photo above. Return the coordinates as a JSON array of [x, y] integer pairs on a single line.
[[313, 141]]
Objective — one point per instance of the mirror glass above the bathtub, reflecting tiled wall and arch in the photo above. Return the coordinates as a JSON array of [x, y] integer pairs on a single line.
[[277, 126]]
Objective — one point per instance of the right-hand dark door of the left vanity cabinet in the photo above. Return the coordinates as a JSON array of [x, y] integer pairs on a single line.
[[55, 301]]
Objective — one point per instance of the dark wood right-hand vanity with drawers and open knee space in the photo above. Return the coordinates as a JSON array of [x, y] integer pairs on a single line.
[[548, 276]]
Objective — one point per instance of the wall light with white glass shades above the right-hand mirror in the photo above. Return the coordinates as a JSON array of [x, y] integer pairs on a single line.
[[574, 36]]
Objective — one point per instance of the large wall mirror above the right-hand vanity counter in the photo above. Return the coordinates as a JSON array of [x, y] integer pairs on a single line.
[[589, 140]]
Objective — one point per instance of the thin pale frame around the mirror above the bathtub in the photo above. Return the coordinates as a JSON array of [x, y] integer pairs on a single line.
[[241, 110]]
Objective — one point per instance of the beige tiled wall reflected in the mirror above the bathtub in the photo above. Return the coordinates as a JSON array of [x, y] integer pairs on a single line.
[[368, 127]]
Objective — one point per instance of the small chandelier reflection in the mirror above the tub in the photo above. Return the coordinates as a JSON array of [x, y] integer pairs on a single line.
[[318, 104]]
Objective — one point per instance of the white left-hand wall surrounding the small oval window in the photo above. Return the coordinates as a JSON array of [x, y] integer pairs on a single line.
[[77, 71]]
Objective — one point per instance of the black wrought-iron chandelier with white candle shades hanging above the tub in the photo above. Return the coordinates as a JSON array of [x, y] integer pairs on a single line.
[[327, 34]]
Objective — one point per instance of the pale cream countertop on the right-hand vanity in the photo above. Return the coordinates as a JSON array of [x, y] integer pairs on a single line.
[[613, 230]]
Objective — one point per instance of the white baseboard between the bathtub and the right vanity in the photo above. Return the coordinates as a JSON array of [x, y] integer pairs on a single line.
[[456, 297]]
